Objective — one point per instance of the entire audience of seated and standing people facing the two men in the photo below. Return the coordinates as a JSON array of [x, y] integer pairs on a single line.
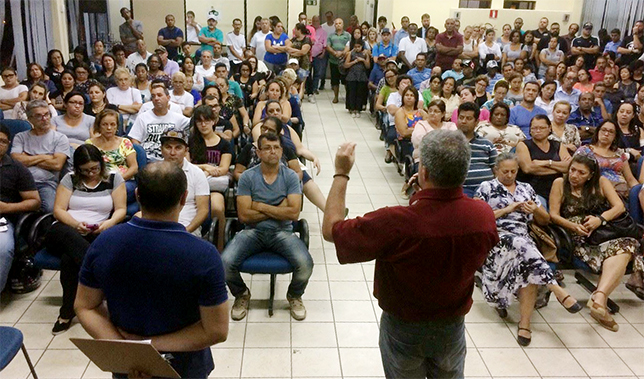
[[554, 122]]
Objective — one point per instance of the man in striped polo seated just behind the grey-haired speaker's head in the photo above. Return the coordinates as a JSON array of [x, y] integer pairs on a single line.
[[483, 151]]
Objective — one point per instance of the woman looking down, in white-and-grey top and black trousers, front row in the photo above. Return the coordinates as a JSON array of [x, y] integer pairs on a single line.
[[89, 201]]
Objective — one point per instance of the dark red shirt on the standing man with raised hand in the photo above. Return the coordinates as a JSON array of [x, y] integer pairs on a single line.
[[426, 253]]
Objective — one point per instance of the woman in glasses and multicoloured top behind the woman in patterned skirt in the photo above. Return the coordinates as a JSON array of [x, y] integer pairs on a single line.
[[612, 161]]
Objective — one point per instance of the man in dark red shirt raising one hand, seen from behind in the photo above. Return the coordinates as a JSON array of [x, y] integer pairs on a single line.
[[426, 256]]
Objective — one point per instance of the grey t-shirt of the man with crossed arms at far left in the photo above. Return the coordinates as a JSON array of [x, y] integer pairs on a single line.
[[48, 144]]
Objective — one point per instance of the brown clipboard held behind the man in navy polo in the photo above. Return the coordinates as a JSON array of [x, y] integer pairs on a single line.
[[120, 356]]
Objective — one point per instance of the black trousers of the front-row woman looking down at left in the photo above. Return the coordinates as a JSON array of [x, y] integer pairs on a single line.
[[65, 242]]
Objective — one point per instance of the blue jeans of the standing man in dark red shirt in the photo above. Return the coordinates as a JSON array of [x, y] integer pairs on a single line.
[[432, 349]]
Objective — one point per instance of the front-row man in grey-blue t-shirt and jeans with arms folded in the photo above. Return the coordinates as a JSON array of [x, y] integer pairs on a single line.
[[268, 201]]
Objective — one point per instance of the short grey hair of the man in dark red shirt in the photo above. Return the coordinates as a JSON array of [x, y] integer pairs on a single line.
[[445, 154]]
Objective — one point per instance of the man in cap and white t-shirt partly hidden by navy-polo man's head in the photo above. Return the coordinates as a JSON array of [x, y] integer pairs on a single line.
[[174, 147]]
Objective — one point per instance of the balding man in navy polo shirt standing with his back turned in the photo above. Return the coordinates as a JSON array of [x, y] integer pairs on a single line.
[[170, 289]]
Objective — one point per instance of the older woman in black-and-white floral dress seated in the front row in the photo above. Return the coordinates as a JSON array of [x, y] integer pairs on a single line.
[[515, 266]]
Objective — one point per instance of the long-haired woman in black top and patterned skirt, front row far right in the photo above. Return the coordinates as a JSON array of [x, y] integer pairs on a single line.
[[581, 202]]
